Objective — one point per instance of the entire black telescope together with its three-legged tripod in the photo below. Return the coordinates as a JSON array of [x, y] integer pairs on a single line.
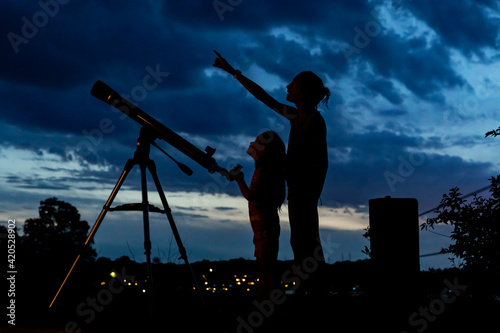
[[151, 130]]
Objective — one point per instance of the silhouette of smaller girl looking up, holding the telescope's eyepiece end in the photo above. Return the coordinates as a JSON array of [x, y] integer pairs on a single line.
[[265, 195]]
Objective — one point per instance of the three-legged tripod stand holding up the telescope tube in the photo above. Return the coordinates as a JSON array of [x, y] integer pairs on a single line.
[[141, 158]]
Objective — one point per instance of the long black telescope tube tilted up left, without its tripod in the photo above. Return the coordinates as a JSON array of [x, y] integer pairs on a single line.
[[105, 93]]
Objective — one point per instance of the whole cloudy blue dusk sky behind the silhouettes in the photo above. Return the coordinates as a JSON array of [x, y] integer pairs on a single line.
[[415, 86]]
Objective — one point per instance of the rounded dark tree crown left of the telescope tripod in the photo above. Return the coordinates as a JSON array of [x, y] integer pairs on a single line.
[[57, 235]]
